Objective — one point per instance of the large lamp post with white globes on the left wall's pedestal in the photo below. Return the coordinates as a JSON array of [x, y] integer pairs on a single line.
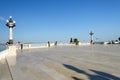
[[10, 23]]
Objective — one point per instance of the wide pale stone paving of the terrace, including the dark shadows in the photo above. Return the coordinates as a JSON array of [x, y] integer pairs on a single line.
[[97, 62]]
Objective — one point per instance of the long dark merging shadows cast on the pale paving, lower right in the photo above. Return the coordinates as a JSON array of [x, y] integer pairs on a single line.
[[99, 75]]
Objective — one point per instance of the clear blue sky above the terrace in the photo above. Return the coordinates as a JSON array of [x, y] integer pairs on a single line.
[[59, 20]]
